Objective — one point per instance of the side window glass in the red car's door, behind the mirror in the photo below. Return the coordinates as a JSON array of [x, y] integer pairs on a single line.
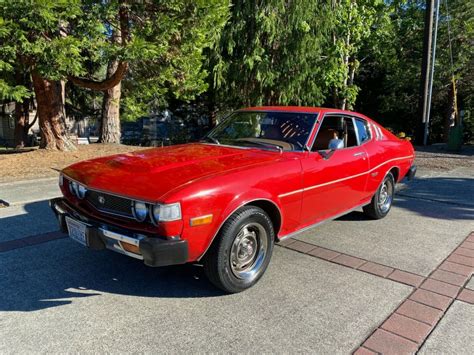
[[335, 132]]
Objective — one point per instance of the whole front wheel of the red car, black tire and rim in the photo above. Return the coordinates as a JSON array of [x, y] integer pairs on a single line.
[[249, 230]]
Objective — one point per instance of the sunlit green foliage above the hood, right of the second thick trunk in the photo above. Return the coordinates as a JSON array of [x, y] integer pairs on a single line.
[[169, 46]]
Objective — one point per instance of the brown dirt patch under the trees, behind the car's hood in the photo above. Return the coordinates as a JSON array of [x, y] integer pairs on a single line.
[[40, 163]]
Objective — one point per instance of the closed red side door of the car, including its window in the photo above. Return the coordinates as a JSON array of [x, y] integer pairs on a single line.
[[334, 180]]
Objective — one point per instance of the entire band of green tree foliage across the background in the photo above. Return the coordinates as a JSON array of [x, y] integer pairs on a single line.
[[364, 54]]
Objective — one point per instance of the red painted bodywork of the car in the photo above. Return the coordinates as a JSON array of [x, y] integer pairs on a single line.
[[212, 179]]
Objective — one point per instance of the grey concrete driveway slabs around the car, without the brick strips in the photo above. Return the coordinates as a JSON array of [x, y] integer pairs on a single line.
[[59, 297]]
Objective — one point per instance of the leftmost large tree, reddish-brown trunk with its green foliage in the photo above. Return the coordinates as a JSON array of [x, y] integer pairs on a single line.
[[34, 35]]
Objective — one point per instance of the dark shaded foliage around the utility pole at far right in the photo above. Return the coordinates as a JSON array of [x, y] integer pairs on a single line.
[[390, 78]]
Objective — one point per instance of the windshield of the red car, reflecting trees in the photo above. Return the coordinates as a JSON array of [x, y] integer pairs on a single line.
[[286, 131]]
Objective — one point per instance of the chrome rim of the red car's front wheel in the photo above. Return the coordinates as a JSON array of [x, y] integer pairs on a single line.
[[248, 251]]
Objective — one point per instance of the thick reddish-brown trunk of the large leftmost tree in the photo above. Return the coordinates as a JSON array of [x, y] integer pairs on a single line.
[[52, 121]]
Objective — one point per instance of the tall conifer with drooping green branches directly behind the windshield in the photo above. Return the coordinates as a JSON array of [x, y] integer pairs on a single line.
[[270, 52]]
